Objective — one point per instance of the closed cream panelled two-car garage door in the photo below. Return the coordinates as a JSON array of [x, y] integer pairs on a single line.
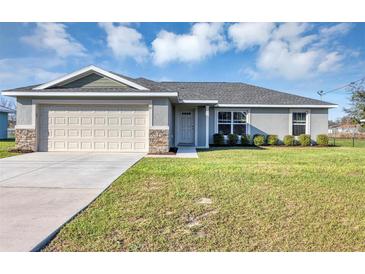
[[114, 128]]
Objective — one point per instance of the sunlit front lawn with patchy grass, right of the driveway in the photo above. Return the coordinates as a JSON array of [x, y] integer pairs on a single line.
[[272, 199]]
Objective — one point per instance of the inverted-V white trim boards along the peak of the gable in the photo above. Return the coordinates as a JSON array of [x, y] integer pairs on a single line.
[[90, 69]]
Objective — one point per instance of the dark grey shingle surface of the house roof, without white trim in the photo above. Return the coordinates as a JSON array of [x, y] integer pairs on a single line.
[[224, 92]]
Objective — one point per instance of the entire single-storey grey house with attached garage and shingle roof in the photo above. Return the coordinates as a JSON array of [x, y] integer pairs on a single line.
[[96, 110]]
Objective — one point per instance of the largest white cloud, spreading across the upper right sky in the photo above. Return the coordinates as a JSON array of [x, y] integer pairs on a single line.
[[290, 50]]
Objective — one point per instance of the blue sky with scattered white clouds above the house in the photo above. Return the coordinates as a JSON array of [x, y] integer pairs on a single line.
[[299, 58]]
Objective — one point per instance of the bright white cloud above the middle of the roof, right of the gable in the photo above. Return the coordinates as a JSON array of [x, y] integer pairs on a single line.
[[204, 40]]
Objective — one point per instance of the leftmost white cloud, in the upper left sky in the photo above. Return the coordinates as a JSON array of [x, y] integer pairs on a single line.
[[54, 36]]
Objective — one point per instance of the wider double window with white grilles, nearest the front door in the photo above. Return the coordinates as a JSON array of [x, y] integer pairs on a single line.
[[232, 122]]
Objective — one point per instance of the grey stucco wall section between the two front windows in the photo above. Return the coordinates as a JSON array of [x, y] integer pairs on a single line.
[[269, 121]]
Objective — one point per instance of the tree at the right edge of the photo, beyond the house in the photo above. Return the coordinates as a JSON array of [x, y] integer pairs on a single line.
[[357, 109]]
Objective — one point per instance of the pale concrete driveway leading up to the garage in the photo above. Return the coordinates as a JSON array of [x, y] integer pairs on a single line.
[[41, 191]]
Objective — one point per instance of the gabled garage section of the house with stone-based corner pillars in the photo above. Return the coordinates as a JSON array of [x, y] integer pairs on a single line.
[[94, 110]]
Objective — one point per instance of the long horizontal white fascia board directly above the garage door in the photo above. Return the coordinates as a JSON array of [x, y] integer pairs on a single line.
[[88, 94]]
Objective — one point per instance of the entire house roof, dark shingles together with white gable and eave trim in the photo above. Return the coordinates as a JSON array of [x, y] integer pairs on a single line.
[[222, 93]]
